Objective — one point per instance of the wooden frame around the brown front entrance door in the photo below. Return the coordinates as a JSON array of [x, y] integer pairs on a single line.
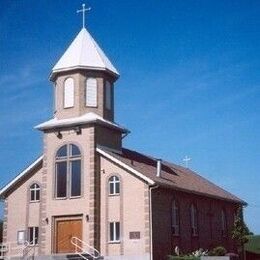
[[55, 221]]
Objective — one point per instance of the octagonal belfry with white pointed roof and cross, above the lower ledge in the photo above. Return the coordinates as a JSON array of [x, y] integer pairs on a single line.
[[84, 79]]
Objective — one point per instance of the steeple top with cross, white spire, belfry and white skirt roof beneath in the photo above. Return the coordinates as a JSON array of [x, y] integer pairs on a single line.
[[83, 81]]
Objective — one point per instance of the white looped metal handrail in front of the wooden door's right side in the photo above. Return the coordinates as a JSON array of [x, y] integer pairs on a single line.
[[84, 248]]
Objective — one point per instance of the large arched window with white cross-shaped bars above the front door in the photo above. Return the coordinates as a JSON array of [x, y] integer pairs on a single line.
[[68, 171]]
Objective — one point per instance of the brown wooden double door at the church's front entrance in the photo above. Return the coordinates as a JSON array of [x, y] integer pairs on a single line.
[[65, 230]]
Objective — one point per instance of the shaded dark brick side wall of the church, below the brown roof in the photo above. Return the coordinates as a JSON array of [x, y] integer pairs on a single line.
[[209, 223]]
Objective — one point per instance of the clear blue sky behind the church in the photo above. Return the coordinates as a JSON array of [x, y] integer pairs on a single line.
[[190, 81]]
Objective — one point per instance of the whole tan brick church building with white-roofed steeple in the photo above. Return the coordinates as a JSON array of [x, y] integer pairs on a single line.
[[90, 197]]
